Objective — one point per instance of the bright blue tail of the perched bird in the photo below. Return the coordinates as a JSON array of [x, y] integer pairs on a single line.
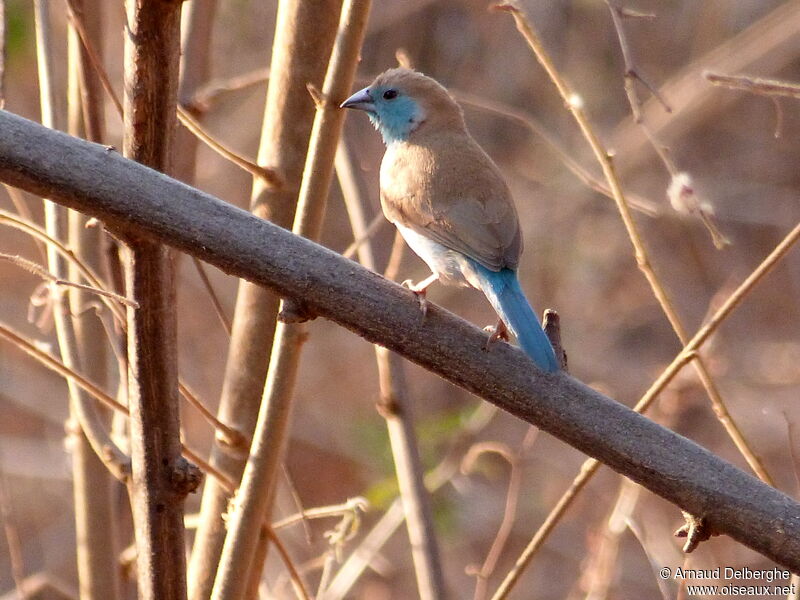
[[505, 294]]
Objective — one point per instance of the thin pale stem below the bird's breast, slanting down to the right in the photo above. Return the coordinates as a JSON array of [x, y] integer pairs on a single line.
[[395, 406]]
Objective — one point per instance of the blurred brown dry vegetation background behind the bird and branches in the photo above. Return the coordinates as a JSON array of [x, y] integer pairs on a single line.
[[742, 154]]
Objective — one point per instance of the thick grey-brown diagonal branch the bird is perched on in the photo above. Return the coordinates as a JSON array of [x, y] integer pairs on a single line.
[[89, 178]]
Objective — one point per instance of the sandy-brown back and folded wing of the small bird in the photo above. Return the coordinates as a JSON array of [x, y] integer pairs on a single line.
[[453, 193]]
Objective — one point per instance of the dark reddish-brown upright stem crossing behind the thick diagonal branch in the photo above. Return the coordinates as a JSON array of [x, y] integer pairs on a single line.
[[161, 477]]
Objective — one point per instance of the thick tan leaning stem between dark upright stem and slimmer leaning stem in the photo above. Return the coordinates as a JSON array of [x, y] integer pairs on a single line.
[[304, 33]]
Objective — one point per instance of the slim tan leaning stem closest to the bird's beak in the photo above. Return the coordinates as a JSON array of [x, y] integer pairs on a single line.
[[260, 475]]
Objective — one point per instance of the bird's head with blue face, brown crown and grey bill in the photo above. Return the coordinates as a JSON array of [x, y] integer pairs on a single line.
[[401, 102]]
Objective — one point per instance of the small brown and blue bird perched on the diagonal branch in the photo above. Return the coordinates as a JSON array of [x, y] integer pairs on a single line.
[[449, 200]]
